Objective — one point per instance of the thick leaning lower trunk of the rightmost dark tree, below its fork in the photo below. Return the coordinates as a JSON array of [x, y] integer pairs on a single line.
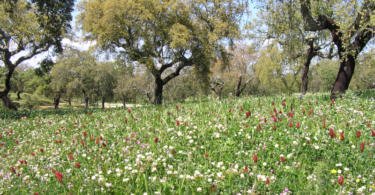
[[344, 76]]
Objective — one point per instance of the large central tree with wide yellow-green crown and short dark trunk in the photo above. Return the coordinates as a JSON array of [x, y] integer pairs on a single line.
[[164, 34]]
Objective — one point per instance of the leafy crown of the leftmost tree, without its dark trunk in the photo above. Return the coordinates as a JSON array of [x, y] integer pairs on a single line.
[[36, 23]]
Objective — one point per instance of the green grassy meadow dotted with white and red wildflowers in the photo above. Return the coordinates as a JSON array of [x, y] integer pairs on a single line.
[[277, 145]]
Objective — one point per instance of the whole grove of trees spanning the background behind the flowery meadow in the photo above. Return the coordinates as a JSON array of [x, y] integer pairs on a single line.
[[175, 50]]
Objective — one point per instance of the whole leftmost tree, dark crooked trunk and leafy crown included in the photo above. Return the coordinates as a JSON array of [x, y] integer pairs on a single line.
[[27, 29]]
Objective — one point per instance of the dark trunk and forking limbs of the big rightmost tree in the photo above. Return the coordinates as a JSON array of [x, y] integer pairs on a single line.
[[358, 36]]
